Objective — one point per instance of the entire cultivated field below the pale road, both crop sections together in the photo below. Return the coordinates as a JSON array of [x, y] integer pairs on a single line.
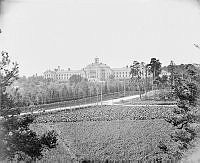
[[108, 132]]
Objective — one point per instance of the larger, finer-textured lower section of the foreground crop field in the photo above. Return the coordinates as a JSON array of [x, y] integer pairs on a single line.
[[114, 140]]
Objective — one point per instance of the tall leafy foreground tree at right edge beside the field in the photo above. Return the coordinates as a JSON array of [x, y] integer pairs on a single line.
[[184, 117]]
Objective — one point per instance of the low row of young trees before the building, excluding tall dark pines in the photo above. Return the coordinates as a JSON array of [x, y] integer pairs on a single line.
[[36, 90]]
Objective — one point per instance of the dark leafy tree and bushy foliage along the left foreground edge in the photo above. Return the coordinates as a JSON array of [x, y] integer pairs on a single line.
[[18, 142]]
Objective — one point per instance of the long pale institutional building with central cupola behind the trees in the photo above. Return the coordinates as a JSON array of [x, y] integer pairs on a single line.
[[93, 72]]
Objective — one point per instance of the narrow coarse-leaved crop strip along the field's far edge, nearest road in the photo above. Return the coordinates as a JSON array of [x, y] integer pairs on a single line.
[[108, 113]]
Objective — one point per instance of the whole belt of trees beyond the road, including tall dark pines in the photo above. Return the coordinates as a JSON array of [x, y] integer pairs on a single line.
[[36, 90]]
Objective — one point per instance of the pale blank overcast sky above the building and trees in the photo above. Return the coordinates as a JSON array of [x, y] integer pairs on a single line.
[[42, 34]]
